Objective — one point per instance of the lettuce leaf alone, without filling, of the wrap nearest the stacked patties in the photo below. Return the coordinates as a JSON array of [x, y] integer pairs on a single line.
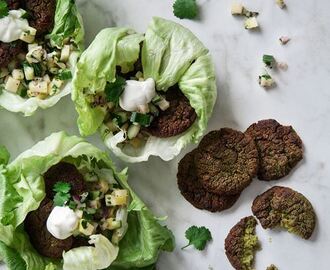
[[170, 55]]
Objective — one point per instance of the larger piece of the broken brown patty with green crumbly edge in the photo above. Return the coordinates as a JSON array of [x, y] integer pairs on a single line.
[[284, 207]]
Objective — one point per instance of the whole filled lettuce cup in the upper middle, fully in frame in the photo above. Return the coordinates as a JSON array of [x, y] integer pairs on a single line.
[[147, 95]]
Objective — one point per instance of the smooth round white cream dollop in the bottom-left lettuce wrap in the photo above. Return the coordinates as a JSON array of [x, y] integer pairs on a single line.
[[62, 221]]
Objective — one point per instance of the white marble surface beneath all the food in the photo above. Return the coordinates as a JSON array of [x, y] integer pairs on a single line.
[[301, 98]]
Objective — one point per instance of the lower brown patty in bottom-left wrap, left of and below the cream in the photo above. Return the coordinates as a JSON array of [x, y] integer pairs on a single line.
[[46, 244]]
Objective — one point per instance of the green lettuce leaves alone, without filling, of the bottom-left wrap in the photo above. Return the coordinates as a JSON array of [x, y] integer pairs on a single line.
[[22, 190]]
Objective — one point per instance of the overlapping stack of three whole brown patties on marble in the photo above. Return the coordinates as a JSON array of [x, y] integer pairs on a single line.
[[213, 176]]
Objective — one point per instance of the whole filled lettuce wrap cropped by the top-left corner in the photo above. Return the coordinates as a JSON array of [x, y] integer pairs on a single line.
[[40, 42]]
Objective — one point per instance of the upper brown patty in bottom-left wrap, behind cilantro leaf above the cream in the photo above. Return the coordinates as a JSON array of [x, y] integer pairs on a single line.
[[64, 172]]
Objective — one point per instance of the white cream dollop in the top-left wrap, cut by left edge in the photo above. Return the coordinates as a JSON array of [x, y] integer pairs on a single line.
[[12, 26]]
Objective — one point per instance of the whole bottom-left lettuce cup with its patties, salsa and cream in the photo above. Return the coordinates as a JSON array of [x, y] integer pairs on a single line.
[[63, 205]]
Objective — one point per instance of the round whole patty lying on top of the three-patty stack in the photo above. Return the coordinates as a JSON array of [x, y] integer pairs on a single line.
[[226, 162]]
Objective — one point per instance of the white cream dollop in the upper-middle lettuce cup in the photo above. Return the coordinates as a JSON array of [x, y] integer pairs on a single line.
[[137, 93]]
